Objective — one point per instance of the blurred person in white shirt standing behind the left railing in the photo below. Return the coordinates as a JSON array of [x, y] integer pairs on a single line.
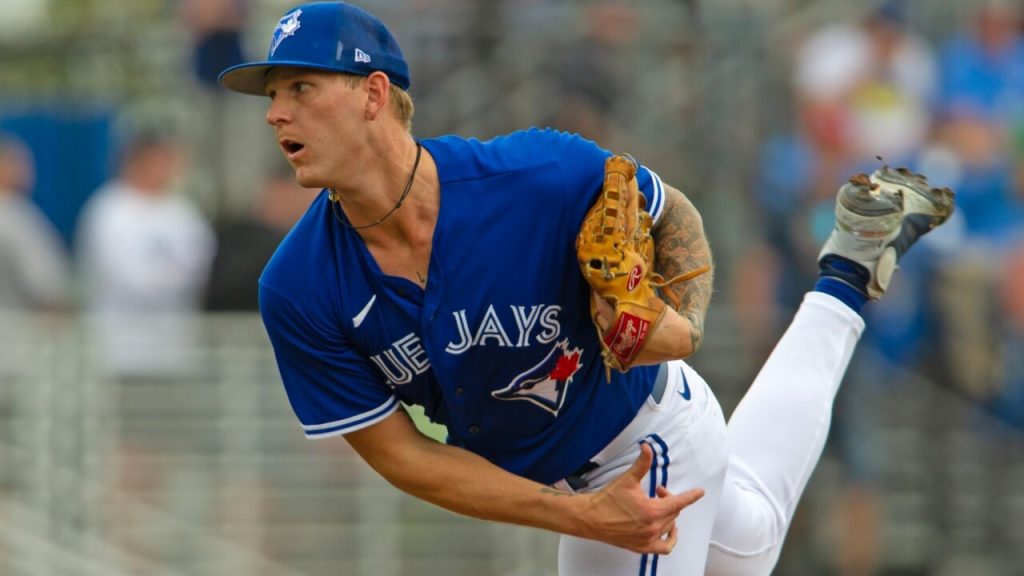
[[145, 255]]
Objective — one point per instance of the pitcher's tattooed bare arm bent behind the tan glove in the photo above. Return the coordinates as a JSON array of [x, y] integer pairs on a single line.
[[680, 245]]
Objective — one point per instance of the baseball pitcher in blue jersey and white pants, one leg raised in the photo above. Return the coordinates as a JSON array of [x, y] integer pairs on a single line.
[[537, 295]]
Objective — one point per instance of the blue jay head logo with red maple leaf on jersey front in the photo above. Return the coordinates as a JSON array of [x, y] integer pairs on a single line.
[[546, 384]]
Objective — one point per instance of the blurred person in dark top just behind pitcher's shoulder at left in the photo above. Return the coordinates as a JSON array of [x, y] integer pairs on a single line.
[[245, 244]]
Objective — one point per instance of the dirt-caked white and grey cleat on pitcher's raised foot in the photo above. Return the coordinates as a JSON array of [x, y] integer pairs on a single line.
[[878, 219]]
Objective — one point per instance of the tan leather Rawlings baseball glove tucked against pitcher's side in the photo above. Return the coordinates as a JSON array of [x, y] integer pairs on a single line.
[[616, 254]]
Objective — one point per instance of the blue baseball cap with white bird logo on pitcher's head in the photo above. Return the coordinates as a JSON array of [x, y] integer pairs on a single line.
[[329, 36]]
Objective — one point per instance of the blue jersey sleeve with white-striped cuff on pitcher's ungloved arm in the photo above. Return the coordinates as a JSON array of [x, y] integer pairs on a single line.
[[331, 387]]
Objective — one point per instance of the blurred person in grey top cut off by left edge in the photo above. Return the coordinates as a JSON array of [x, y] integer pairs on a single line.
[[34, 268]]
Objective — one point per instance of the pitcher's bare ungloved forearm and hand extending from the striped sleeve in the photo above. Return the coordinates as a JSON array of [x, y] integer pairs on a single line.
[[622, 514]]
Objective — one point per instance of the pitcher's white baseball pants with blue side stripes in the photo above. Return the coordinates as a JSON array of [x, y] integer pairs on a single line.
[[753, 471]]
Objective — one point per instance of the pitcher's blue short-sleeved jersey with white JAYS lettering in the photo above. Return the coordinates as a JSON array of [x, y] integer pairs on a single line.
[[499, 346]]
